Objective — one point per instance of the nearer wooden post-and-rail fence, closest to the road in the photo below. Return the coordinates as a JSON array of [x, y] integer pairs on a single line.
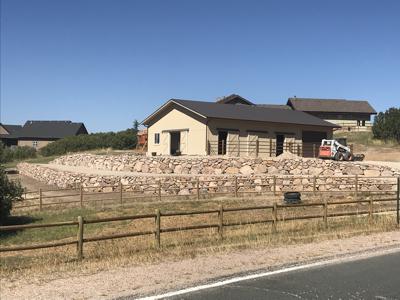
[[219, 222]]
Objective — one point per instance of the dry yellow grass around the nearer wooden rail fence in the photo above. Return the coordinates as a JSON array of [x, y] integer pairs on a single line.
[[174, 246]]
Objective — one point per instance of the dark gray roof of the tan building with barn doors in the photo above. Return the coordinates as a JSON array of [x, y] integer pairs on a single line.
[[246, 112]]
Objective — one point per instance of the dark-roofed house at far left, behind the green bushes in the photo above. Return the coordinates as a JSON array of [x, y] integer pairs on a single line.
[[38, 134]]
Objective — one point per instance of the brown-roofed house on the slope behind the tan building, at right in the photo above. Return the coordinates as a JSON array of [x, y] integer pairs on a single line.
[[351, 115]]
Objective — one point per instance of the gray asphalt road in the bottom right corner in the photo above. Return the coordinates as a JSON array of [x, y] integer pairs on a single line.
[[373, 278]]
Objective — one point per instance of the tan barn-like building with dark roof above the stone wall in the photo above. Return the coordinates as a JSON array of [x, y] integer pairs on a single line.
[[232, 126]]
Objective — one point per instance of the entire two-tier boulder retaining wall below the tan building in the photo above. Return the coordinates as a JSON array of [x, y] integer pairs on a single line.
[[214, 174]]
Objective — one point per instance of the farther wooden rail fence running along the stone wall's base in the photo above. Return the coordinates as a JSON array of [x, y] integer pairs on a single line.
[[235, 186]]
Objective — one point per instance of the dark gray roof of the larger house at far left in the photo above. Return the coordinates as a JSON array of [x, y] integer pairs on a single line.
[[51, 129]]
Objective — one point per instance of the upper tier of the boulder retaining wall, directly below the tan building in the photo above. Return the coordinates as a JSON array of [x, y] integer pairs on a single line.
[[286, 164]]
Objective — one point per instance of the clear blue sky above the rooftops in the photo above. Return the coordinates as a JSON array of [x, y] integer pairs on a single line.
[[108, 62]]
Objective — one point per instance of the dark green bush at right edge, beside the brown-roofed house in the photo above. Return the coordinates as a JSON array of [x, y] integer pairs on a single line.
[[387, 125]]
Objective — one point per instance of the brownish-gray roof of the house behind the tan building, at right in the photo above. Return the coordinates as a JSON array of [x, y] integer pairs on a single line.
[[331, 105]]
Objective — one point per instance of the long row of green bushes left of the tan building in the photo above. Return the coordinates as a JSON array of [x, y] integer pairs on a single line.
[[121, 140]]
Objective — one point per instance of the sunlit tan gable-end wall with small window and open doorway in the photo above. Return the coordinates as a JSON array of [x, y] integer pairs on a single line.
[[191, 126]]
